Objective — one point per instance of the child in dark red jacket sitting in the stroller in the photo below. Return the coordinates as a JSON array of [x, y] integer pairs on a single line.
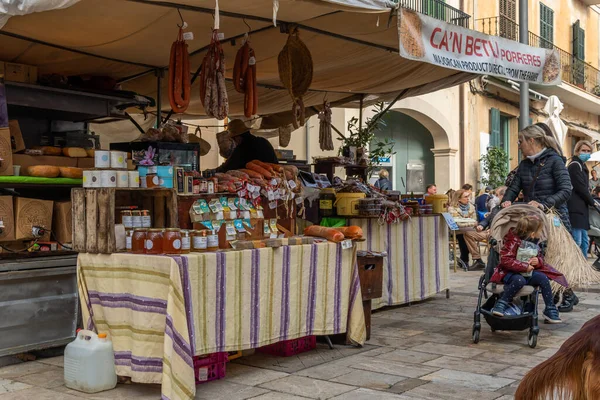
[[522, 263]]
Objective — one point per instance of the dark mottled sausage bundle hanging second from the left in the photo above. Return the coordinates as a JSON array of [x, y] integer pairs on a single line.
[[213, 92]]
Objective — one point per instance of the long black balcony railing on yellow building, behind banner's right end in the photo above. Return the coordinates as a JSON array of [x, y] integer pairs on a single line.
[[574, 71]]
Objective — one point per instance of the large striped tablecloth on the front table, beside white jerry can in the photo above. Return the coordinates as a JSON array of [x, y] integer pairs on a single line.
[[160, 311]]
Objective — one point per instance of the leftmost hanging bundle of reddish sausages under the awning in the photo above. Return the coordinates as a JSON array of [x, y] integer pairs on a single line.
[[179, 75]]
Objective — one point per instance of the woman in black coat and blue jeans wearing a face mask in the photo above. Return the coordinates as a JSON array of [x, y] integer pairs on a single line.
[[580, 199]]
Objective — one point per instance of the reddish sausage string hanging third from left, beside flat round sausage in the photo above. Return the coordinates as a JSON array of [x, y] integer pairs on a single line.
[[244, 78]]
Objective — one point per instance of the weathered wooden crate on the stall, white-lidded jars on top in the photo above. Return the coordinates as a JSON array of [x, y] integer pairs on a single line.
[[95, 215]]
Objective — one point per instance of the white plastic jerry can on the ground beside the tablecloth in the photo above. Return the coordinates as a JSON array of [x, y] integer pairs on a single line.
[[90, 363]]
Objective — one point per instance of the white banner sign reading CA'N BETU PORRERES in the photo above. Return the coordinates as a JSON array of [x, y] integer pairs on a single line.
[[426, 39]]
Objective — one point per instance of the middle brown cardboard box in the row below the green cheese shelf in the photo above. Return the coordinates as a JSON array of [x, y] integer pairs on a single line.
[[30, 213]]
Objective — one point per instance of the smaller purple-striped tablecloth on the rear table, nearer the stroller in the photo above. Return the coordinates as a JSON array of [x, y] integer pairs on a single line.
[[417, 263]]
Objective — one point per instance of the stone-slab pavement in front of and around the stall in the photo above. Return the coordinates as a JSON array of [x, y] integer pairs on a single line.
[[423, 351]]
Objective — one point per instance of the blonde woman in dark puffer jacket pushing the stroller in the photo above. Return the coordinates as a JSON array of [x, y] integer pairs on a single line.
[[542, 175]]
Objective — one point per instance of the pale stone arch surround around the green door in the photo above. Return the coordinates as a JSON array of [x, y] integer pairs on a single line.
[[444, 138]]
